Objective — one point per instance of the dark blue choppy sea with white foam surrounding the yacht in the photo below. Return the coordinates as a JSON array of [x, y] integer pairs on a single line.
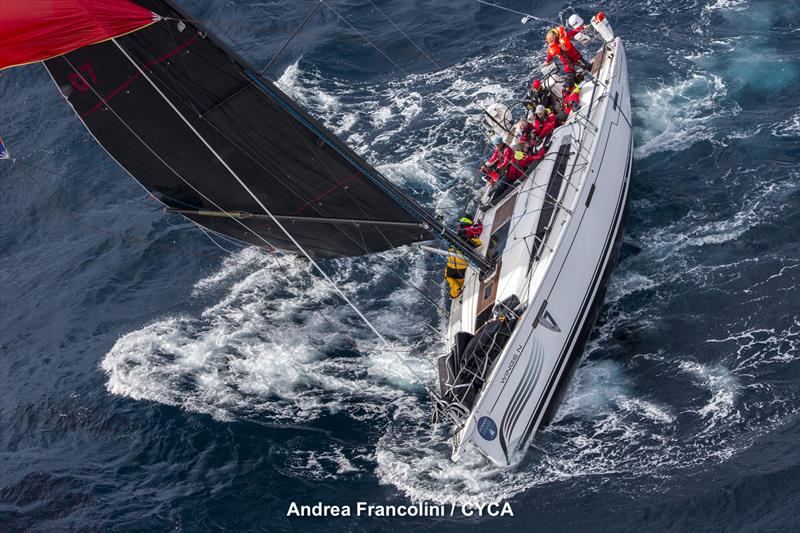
[[151, 380]]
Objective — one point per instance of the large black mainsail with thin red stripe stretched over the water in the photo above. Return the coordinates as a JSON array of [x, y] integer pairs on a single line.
[[189, 120]]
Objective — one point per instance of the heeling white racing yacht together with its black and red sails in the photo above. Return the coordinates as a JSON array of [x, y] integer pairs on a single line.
[[216, 141]]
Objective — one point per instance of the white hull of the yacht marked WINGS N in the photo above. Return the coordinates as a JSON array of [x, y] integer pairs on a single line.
[[562, 286]]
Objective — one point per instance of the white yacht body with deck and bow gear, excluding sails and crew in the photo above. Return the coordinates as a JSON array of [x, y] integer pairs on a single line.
[[517, 334]]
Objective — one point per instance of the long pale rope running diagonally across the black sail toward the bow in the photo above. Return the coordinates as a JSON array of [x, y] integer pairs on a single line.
[[278, 223]]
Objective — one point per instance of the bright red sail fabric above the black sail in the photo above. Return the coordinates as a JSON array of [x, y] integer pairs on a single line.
[[35, 30]]
